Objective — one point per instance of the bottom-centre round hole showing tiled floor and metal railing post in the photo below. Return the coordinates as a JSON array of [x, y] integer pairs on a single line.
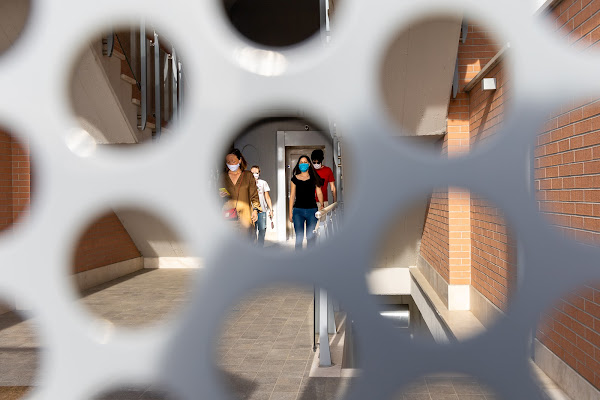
[[269, 348]]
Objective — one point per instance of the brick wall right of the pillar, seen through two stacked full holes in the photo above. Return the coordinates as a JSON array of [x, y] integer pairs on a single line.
[[492, 252]]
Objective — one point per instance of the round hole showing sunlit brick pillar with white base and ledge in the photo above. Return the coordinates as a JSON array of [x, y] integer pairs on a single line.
[[453, 246]]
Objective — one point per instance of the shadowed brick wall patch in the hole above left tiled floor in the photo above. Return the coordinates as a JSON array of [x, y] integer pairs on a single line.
[[105, 242]]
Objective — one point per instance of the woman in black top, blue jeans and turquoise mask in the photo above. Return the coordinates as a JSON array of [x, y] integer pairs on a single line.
[[303, 205]]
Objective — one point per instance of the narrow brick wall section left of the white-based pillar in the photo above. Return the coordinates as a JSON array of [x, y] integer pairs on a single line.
[[434, 243]]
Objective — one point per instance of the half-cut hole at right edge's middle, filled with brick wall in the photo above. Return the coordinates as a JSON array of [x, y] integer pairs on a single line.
[[567, 170]]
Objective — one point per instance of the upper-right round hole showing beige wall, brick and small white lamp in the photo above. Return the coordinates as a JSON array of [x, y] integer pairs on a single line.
[[441, 87]]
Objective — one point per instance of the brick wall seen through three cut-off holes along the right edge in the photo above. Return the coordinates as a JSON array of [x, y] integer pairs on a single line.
[[567, 182]]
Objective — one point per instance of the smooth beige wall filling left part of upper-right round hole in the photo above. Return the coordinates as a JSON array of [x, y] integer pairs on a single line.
[[417, 75]]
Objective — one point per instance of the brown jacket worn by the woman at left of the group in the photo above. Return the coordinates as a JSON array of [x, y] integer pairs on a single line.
[[246, 194]]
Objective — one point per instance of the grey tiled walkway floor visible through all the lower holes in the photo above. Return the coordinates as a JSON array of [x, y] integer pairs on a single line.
[[265, 351]]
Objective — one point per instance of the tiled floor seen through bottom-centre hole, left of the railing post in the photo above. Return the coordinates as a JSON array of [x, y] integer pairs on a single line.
[[265, 351]]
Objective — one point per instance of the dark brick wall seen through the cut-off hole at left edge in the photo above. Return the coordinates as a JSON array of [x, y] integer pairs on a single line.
[[15, 177]]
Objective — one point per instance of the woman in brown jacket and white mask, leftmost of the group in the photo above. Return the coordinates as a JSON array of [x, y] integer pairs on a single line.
[[241, 191]]
